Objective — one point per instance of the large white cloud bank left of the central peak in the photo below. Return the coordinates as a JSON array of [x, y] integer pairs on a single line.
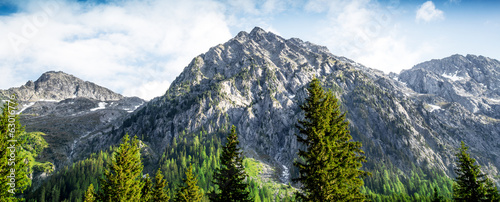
[[131, 47]]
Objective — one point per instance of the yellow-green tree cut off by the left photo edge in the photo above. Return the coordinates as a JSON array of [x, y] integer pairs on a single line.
[[14, 165]]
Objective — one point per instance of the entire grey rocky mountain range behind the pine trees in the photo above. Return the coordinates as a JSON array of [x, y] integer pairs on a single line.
[[408, 123]]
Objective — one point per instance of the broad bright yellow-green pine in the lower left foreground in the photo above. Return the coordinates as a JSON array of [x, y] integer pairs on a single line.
[[122, 180]]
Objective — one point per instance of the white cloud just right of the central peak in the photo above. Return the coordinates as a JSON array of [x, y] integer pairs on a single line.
[[368, 33]]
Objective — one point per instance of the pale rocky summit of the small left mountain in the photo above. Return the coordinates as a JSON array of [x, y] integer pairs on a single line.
[[57, 85]]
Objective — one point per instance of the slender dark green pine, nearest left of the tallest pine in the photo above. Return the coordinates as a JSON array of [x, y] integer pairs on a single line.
[[230, 176]]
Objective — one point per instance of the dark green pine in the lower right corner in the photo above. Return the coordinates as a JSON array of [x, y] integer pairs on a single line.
[[470, 184]]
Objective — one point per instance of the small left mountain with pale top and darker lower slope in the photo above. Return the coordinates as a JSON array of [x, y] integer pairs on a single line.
[[68, 109]]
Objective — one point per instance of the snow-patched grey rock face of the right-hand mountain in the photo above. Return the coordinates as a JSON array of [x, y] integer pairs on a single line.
[[459, 97]]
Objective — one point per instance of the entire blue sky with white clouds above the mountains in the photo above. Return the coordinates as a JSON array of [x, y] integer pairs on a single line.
[[138, 47]]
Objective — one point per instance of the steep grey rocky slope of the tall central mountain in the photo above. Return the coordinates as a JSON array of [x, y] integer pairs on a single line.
[[257, 80]]
